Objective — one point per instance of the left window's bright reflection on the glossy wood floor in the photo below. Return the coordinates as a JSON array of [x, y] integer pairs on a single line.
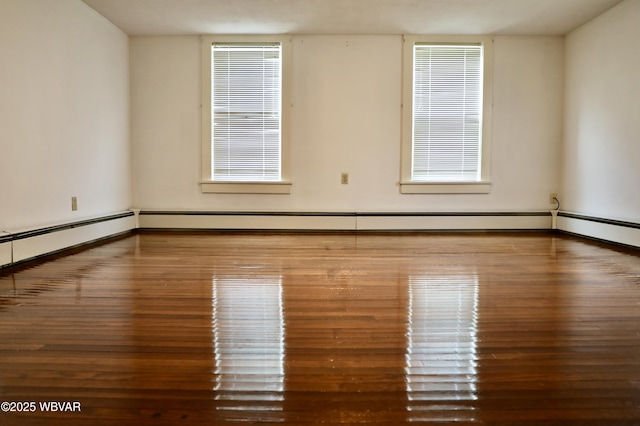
[[248, 332]]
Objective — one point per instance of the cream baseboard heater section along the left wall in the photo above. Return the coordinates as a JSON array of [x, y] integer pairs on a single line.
[[29, 244]]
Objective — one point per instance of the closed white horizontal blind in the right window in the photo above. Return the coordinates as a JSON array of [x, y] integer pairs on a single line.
[[447, 112]]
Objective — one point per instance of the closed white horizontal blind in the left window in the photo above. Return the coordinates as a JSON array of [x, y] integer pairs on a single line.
[[246, 88]]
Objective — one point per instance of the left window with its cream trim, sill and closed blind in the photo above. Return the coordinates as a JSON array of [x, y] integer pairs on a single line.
[[245, 114]]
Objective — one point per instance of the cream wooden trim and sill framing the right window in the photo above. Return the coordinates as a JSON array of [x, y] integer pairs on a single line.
[[407, 185]]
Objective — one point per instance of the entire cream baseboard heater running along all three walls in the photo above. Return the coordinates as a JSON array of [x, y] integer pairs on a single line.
[[25, 245]]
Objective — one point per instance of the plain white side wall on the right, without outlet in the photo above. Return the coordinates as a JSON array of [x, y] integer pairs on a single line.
[[601, 151]]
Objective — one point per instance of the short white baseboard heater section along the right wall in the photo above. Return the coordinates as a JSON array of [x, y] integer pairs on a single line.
[[620, 232]]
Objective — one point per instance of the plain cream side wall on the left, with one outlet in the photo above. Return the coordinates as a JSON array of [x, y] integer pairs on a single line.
[[64, 114]]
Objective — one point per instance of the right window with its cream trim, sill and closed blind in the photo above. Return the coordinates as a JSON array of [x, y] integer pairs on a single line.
[[446, 115]]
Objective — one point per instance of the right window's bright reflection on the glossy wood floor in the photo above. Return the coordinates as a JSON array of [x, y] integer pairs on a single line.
[[441, 360]]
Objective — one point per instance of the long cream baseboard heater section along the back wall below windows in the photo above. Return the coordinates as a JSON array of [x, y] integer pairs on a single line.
[[344, 221]]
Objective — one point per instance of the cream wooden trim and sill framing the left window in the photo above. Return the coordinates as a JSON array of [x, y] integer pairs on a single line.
[[207, 184]]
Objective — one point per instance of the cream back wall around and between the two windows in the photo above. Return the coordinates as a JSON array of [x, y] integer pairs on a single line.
[[346, 118]]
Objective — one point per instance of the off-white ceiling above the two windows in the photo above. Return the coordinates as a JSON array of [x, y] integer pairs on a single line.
[[514, 17]]
